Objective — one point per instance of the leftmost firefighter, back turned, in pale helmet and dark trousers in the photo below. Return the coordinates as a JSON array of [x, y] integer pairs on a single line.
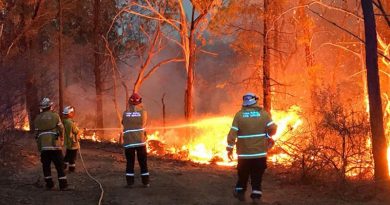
[[49, 135]]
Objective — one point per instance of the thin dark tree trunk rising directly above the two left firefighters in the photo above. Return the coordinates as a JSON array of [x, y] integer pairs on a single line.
[[60, 68]]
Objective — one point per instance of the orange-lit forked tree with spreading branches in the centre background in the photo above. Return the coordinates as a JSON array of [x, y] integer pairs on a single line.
[[188, 30]]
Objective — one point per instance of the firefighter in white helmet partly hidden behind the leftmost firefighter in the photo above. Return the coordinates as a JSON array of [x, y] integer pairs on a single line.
[[72, 138]]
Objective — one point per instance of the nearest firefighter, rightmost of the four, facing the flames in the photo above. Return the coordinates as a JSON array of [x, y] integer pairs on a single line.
[[251, 132]]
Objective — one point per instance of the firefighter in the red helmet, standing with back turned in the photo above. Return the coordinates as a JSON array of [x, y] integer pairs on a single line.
[[134, 139]]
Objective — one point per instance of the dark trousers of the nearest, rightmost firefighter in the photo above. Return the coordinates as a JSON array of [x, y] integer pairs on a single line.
[[255, 169]]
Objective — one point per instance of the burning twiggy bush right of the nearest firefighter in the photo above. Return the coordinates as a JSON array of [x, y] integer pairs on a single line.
[[334, 144]]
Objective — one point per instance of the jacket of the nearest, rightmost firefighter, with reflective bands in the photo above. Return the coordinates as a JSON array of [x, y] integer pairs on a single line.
[[250, 132]]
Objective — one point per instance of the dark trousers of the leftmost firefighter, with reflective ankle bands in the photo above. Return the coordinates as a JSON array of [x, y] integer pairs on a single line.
[[55, 156]]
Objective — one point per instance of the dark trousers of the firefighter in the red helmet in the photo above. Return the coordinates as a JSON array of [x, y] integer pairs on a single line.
[[142, 161]]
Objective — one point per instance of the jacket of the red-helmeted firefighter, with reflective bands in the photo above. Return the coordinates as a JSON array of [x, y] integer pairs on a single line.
[[134, 122]]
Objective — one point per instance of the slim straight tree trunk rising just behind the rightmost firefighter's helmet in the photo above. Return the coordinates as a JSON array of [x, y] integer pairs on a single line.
[[266, 64]]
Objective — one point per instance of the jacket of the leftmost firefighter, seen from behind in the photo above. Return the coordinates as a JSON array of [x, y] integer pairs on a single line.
[[49, 131]]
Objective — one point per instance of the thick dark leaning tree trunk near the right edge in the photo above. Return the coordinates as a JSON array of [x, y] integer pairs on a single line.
[[379, 146]]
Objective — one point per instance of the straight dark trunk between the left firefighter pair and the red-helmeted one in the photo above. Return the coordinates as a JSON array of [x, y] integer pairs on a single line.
[[97, 70]]
